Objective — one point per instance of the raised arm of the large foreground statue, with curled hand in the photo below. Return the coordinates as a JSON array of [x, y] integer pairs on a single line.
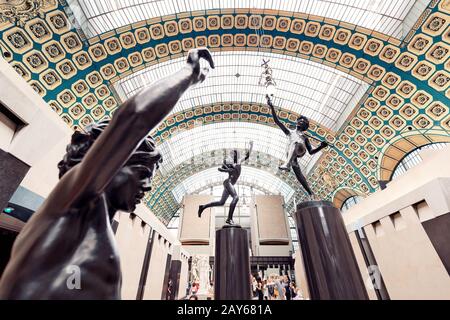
[[131, 123]]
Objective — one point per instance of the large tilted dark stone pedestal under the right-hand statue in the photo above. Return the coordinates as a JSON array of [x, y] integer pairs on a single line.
[[330, 264]]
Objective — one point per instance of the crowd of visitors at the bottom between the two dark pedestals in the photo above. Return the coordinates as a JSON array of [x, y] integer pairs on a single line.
[[275, 287]]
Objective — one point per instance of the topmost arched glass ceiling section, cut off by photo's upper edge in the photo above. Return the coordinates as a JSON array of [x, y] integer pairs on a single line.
[[99, 16]]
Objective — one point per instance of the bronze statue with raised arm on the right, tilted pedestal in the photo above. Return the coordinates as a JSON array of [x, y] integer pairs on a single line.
[[298, 145]]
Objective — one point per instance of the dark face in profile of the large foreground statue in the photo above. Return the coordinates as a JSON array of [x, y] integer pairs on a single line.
[[128, 187]]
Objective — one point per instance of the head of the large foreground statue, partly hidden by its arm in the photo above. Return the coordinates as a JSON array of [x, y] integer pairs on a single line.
[[128, 186]]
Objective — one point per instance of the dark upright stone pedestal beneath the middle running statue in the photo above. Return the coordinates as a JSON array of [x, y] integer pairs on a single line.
[[232, 264]]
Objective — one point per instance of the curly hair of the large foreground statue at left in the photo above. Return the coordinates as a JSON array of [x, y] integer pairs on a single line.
[[145, 155]]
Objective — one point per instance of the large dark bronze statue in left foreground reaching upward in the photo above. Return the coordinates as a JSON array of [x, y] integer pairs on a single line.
[[67, 249]]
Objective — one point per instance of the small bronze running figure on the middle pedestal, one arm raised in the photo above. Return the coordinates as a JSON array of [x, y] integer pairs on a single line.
[[234, 171]]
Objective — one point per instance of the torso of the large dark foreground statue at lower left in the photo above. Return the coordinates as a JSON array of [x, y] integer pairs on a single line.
[[52, 252]]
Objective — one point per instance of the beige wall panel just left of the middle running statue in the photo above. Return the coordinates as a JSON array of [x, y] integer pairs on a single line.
[[195, 230]]
